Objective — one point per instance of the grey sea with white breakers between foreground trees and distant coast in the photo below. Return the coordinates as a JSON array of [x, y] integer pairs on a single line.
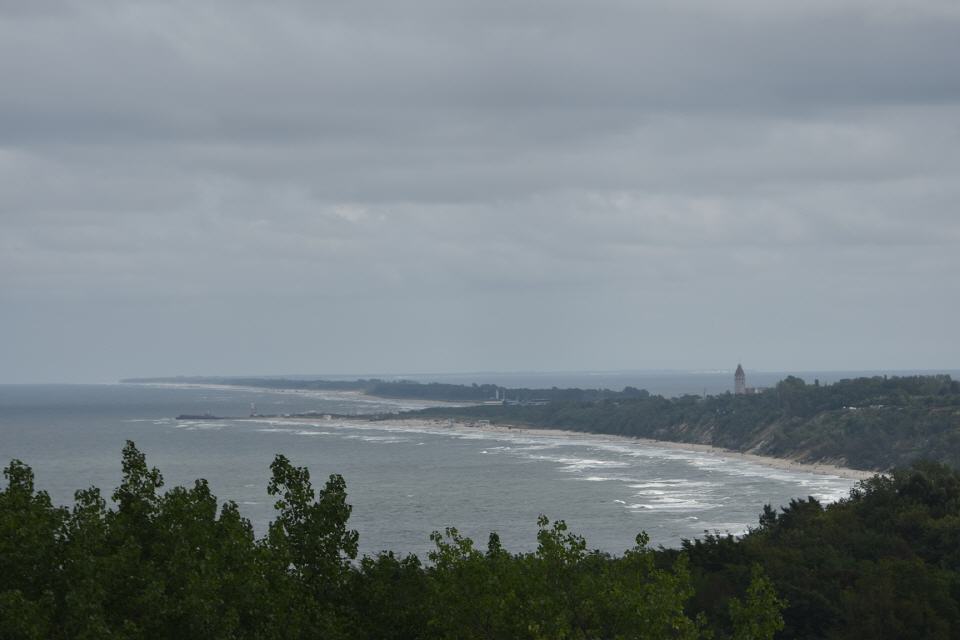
[[403, 481]]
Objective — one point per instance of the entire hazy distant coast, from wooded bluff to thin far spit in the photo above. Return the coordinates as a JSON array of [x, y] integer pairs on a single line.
[[867, 423]]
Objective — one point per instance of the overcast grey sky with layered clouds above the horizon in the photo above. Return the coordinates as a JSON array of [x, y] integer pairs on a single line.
[[435, 186]]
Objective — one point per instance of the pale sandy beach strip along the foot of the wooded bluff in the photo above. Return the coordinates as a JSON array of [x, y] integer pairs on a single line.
[[783, 464]]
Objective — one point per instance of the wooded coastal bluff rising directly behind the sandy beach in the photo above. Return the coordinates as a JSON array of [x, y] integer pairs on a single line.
[[866, 423]]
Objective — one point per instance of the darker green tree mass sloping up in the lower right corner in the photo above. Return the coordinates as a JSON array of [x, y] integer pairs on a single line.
[[883, 563]]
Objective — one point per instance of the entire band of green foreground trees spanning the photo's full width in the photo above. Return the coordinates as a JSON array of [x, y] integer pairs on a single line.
[[883, 563]]
